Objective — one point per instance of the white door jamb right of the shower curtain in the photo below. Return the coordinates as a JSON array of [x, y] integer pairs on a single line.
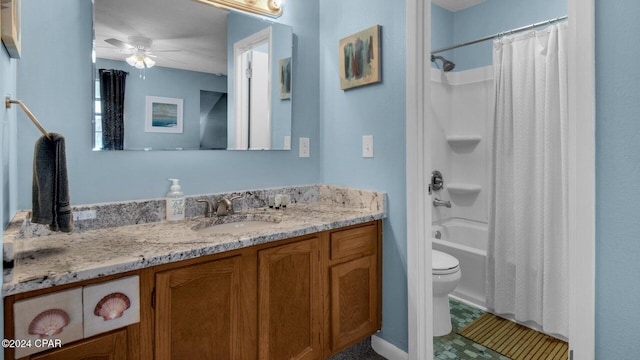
[[582, 178]]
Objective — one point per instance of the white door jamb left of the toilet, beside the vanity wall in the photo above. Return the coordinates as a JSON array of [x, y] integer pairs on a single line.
[[420, 309]]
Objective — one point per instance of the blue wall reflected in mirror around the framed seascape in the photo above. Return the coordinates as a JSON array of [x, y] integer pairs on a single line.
[[163, 82]]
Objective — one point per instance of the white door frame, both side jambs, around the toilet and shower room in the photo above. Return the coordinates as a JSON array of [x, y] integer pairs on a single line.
[[581, 179]]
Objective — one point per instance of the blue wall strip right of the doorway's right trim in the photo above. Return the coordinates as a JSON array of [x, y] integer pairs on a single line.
[[617, 175]]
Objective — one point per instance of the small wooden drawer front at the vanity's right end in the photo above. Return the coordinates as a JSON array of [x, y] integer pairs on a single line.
[[357, 241]]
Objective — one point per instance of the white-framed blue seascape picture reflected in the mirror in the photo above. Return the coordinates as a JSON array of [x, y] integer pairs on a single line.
[[163, 115]]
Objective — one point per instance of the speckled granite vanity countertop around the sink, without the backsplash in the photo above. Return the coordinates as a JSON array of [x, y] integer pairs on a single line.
[[46, 261]]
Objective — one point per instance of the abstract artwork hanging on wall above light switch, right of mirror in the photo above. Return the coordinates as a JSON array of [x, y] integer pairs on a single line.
[[360, 58]]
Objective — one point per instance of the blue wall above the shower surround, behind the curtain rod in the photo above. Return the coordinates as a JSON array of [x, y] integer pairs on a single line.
[[484, 19]]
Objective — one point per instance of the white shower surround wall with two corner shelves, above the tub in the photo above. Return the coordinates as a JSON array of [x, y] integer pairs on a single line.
[[462, 106]]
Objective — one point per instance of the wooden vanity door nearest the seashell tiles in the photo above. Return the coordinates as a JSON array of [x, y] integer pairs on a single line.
[[197, 311]]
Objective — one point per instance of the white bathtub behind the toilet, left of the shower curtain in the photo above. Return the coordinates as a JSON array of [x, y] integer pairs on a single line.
[[467, 241]]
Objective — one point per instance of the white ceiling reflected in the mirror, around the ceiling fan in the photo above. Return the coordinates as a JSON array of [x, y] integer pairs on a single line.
[[196, 30]]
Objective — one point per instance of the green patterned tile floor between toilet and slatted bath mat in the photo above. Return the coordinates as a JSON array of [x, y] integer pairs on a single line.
[[456, 347]]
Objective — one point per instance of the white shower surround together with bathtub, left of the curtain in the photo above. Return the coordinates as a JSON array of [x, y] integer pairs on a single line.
[[462, 106]]
